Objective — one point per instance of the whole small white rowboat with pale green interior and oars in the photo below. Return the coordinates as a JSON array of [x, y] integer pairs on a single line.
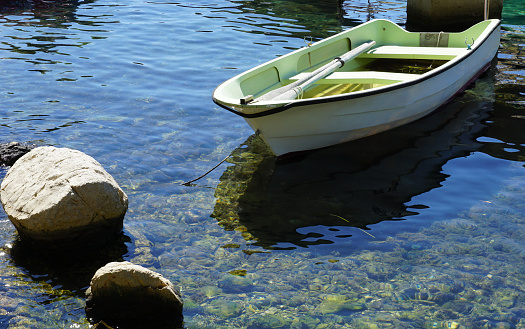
[[368, 79]]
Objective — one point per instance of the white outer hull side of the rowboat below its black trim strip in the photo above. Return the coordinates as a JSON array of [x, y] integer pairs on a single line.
[[317, 126]]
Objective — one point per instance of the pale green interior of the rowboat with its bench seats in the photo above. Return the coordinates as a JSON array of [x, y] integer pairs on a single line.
[[385, 64]]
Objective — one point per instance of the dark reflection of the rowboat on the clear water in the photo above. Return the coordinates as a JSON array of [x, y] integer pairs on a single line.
[[328, 193]]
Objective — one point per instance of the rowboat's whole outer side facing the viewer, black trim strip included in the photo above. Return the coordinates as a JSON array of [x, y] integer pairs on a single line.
[[323, 122]]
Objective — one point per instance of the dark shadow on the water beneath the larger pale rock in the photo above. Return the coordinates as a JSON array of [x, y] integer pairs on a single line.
[[70, 269]]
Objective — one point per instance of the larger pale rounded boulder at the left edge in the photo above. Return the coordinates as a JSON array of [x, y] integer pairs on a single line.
[[61, 196]]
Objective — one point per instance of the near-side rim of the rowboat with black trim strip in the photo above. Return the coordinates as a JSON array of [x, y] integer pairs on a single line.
[[366, 93]]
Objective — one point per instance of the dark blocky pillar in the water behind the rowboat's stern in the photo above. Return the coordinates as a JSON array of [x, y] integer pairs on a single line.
[[449, 15]]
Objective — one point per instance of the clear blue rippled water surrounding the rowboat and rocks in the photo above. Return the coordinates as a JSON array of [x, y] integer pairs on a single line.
[[354, 235]]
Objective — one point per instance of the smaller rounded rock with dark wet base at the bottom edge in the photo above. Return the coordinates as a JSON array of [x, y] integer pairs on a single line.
[[122, 293]]
